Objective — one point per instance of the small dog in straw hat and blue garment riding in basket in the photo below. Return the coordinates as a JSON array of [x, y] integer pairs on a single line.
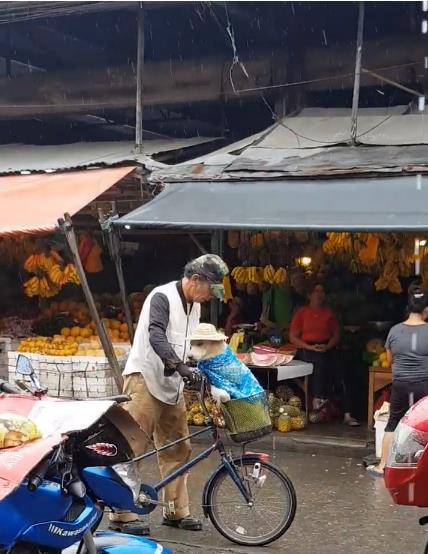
[[229, 377]]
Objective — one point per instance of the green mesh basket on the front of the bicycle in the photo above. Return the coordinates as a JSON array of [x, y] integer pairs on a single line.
[[247, 419]]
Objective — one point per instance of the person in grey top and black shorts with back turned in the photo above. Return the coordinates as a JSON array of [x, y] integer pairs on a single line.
[[407, 354]]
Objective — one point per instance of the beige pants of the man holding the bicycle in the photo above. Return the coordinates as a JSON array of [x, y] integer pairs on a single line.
[[163, 423]]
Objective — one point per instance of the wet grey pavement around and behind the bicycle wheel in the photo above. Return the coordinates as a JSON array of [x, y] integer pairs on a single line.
[[340, 510]]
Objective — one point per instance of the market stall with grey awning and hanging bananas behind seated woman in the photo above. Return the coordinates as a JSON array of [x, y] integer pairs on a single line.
[[364, 238]]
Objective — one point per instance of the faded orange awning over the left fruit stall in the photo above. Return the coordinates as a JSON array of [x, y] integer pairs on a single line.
[[32, 203]]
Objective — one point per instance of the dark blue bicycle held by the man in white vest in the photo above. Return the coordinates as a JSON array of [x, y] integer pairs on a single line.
[[240, 481]]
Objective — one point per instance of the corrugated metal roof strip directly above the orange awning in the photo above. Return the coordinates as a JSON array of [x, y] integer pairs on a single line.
[[16, 158]]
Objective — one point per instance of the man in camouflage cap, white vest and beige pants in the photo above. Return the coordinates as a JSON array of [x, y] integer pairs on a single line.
[[154, 380]]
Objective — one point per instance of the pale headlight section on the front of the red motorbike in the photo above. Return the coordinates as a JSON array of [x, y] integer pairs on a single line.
[[408, 445]]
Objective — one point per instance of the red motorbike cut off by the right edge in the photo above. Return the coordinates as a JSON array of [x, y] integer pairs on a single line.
[[406, 473]]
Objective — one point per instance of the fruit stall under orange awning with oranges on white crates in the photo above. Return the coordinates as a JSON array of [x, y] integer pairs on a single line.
[[74, 348]]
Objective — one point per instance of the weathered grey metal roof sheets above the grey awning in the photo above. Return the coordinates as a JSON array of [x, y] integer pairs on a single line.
[[317, 143]]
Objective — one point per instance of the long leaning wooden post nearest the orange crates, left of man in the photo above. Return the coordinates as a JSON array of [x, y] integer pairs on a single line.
[[66, 227]]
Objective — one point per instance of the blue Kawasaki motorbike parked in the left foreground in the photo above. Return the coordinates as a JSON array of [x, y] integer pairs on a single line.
[[57, 506]]
